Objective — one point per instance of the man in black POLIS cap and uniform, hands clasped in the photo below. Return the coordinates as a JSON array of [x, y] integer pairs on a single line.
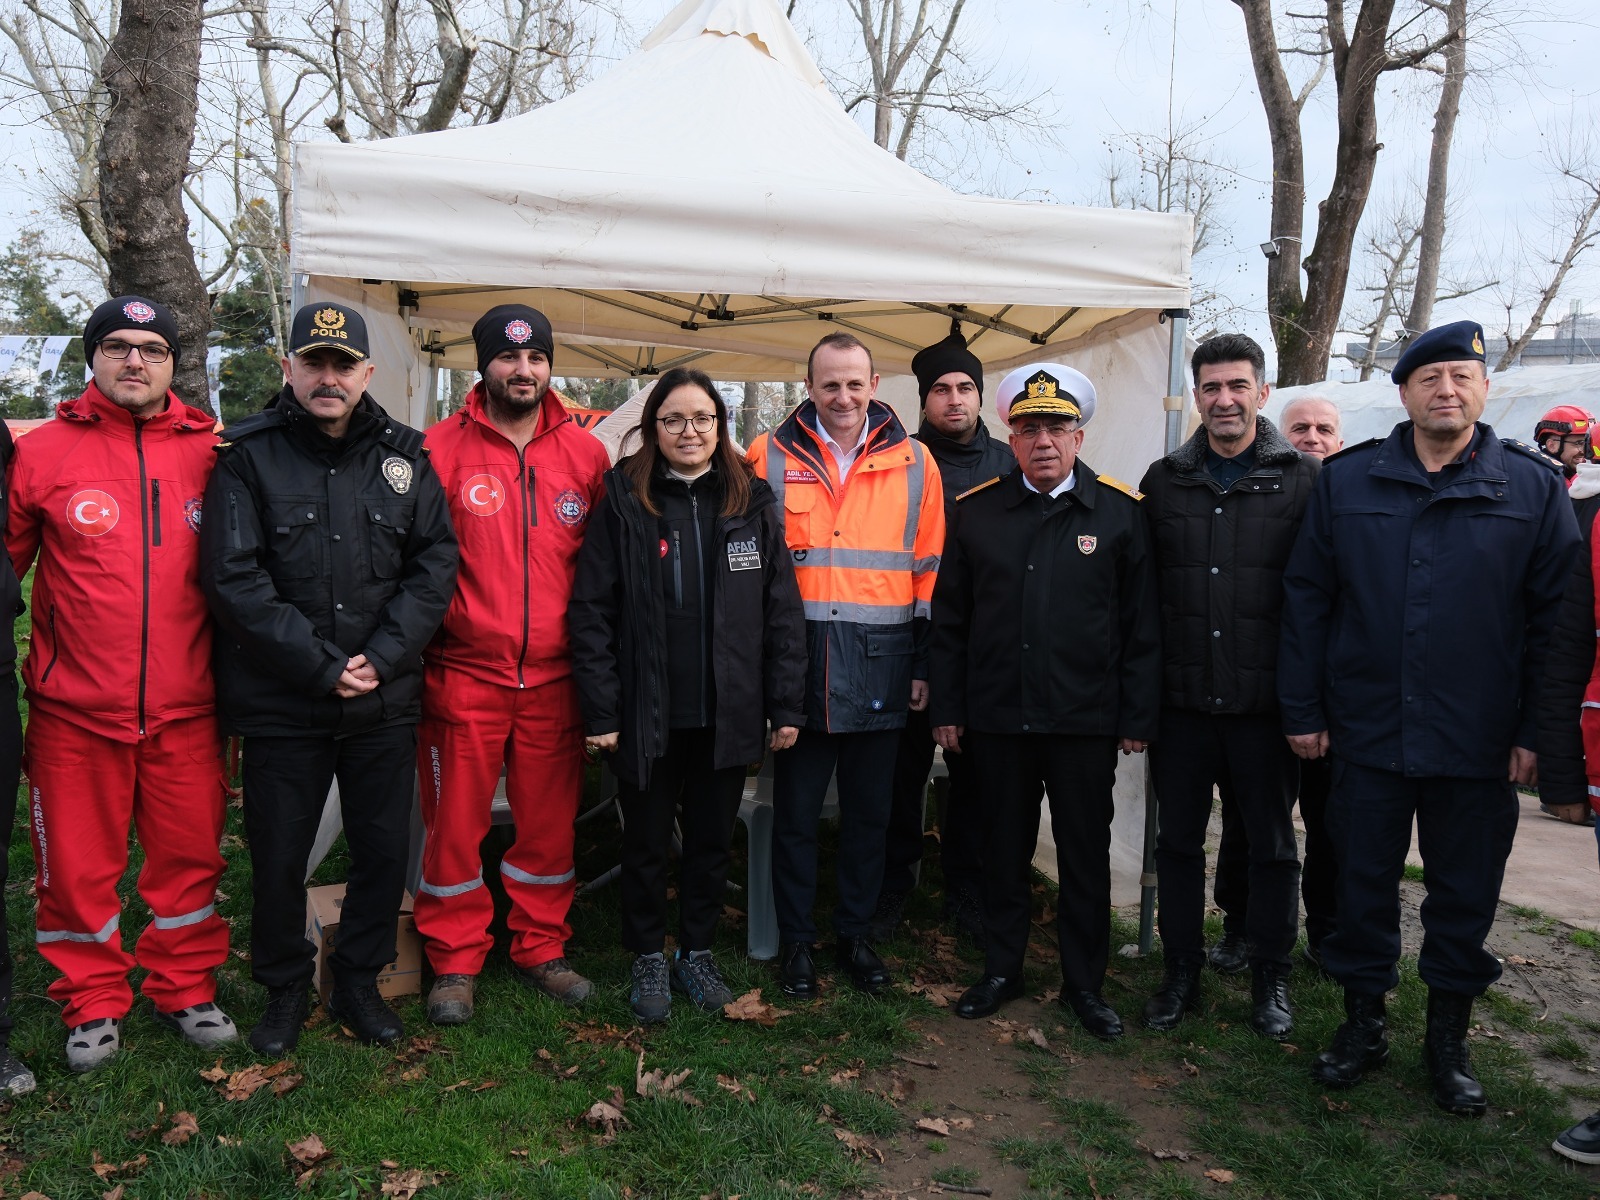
[[329, 561]]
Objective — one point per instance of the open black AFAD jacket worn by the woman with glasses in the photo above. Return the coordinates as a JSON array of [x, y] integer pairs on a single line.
[[618, 628]]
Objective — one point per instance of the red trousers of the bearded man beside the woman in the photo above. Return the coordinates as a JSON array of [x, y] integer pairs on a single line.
[[470, 730]]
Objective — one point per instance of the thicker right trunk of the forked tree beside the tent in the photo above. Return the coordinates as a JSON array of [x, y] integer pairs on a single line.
[[1358, 68]]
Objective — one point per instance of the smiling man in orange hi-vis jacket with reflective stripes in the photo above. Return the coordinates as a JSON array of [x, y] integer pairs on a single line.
[[865, 524]]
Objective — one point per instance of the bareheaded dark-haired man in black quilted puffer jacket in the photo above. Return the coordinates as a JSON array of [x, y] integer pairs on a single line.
[[1225, 510]]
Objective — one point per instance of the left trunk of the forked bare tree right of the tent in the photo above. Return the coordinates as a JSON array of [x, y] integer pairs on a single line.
[[1289, 180]]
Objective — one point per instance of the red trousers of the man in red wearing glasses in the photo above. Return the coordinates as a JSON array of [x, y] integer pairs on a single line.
[[84, 793]]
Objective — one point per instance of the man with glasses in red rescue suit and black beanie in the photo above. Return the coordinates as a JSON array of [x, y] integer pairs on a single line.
[[122, 724]]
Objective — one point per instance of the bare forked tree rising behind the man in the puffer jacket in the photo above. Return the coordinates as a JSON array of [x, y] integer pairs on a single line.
[[1359, 54]]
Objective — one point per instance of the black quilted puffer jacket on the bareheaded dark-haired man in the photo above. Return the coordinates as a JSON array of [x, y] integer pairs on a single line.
[[1222, 558]]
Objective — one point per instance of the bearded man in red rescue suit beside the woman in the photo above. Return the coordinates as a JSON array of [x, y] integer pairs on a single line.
[[498, 687]]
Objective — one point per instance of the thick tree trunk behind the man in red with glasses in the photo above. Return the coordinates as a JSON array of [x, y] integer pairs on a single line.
[[153, 76]]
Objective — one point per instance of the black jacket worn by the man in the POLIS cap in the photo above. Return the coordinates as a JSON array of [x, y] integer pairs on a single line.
[[316, 551]]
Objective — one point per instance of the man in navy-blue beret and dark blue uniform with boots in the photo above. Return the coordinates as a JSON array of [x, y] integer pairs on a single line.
[[1418, 606]]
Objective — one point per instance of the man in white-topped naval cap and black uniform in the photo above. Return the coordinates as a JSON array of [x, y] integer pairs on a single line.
[[1046, 660]]
